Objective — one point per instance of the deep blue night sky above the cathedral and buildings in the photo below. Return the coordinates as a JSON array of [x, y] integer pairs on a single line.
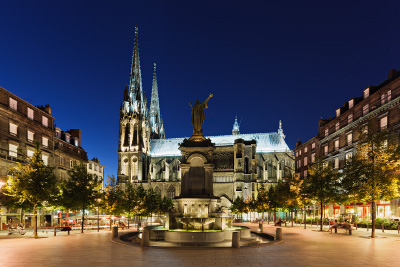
[[293, 61]]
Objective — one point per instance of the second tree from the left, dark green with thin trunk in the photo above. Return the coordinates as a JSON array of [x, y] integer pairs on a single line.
[[80, 191]]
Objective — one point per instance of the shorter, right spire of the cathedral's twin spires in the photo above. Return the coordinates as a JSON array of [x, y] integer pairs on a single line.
[[156, 124]]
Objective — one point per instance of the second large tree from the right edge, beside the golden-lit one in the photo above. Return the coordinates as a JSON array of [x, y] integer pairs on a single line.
[[323, 183]]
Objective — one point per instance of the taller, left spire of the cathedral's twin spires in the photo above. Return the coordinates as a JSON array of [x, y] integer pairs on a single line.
[[135, 81]]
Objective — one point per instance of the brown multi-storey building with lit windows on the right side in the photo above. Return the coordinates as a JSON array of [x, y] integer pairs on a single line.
[[377, 109]]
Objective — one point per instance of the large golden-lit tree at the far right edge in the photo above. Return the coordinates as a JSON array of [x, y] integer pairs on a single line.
[[370, 174]]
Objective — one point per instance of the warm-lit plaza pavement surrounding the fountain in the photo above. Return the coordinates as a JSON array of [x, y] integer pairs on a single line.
[[300, 247]]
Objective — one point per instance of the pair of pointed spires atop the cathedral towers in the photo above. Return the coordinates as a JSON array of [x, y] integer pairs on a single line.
[[135, 100]]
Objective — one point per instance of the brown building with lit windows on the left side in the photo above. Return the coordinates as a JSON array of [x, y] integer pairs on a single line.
[[21, 125]]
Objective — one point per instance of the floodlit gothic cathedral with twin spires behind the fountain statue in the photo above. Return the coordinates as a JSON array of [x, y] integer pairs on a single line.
[[240, 162]]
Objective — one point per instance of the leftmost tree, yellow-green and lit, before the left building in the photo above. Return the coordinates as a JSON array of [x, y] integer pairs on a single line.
[[32, 184]]
